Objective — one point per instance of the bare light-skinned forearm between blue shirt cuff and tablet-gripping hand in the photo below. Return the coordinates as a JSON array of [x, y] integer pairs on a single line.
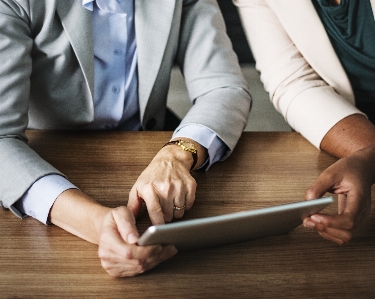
[[78, 214]]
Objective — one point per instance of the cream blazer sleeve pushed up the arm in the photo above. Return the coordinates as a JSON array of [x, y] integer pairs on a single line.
[[306, 101]]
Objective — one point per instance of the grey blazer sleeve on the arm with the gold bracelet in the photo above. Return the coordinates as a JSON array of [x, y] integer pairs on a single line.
[[214, 80]]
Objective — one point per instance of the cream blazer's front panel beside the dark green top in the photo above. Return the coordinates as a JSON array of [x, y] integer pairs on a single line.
[[298, 18]]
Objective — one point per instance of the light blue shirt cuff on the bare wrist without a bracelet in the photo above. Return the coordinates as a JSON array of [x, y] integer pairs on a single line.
[[39, 198]]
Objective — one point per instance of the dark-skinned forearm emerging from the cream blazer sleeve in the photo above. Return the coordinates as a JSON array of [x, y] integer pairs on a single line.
[[349, 135]]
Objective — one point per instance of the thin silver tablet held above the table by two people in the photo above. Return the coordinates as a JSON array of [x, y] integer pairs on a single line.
[[234, 227]]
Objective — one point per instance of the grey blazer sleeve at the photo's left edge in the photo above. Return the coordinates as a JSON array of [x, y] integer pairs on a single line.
[[20, 165]]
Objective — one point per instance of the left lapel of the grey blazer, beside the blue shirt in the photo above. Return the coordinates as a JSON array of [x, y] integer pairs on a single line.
[[77, 22]]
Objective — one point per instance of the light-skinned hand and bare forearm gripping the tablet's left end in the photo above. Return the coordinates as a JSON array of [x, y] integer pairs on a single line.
[[113, 230]]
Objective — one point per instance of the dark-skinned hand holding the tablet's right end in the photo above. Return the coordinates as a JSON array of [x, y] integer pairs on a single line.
[[351, 178]]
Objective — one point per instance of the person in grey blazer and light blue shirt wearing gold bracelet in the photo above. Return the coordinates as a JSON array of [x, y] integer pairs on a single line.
[[95, 64]]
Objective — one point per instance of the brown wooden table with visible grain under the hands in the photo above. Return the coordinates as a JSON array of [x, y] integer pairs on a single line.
[[265, 169]]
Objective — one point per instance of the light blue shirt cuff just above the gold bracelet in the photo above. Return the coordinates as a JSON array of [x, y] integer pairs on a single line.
[[208, 139]]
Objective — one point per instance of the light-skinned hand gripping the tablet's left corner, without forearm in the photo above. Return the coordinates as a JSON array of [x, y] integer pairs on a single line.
[[118, 252]]
